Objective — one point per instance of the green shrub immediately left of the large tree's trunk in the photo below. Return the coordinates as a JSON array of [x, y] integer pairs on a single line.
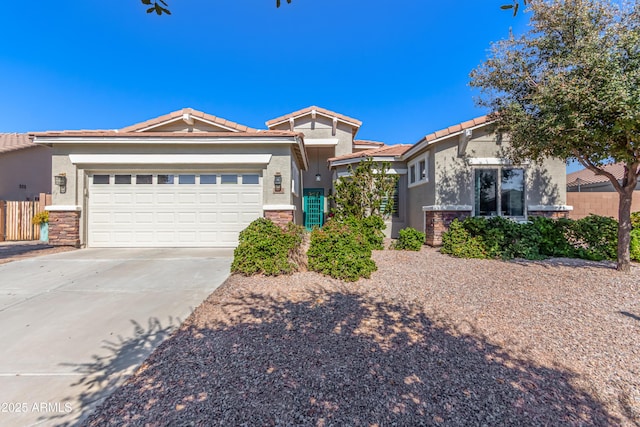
[[595, 237]]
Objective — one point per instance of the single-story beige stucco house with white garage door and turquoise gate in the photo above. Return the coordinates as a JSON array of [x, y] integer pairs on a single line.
[[193, 179]]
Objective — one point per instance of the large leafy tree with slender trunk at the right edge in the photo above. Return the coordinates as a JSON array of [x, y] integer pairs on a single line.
[[570, 88]]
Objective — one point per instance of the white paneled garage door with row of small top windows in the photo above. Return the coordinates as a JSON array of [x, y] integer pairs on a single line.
[[171, 209]]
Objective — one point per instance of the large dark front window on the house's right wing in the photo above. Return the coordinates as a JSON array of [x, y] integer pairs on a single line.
[[499, 191]]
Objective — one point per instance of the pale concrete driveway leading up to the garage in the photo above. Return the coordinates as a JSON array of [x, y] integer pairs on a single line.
[[74, 325]]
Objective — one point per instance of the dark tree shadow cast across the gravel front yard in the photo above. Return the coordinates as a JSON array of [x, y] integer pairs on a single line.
[[338, 358]]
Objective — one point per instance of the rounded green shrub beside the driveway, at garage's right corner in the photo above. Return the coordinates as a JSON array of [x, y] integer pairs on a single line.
[[265, 248]]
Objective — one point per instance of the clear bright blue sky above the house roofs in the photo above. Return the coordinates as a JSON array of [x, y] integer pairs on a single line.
[[400, 66]]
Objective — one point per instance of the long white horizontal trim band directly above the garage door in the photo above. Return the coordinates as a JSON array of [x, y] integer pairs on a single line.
[[171, 159]]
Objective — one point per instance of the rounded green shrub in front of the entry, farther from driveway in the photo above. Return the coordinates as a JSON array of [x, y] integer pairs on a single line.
[[340, 251]]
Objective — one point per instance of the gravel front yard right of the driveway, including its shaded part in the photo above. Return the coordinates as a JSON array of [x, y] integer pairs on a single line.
[[428, 340]]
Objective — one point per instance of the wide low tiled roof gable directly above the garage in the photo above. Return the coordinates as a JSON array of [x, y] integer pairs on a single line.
[[187, 120]]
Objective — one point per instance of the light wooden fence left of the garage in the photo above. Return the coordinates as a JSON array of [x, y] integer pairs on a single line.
[[15, 219]]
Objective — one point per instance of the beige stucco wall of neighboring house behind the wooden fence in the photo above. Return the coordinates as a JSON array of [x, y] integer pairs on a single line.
[[30, 167]]
